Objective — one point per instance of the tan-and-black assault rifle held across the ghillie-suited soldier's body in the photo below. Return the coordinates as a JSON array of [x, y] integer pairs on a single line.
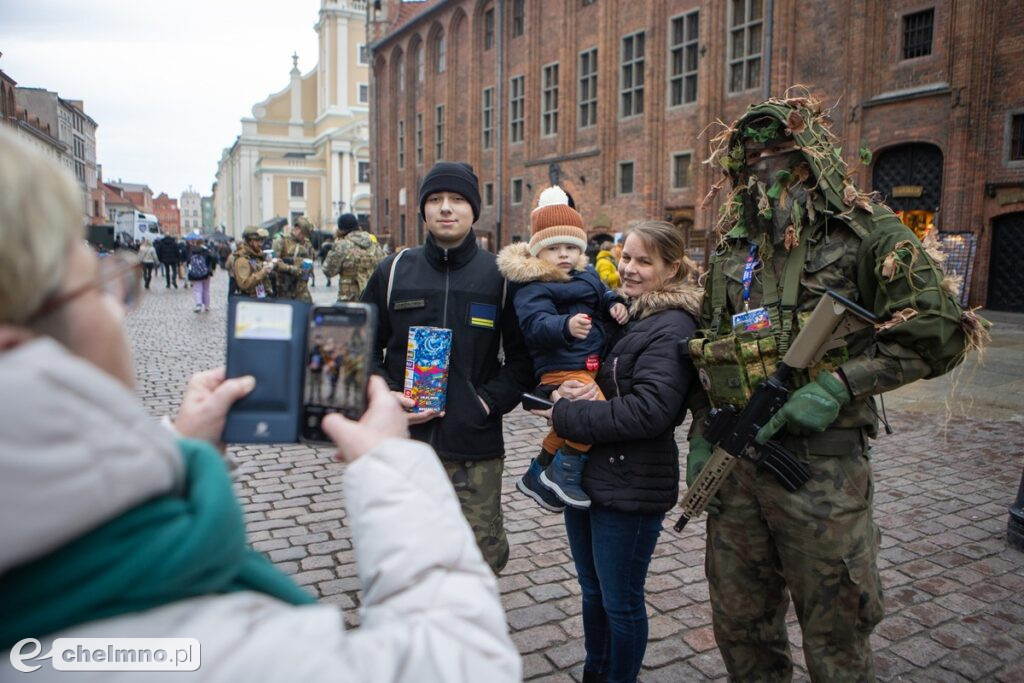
[[732, 432]]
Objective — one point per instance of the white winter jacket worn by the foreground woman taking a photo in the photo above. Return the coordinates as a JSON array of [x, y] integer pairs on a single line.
[[77, 449]]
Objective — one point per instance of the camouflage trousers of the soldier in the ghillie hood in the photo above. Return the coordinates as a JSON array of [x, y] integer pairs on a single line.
[[819, 546]]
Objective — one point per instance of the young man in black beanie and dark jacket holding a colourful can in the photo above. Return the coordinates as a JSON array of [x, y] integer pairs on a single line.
[[450, 283]]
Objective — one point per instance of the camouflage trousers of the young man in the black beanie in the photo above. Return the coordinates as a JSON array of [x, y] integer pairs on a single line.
[[478, 484]]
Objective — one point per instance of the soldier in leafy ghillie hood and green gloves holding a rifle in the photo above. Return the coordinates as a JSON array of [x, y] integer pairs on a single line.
[[793, 227]]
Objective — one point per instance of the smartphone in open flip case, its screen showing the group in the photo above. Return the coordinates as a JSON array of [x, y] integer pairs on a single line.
[[337, 368]]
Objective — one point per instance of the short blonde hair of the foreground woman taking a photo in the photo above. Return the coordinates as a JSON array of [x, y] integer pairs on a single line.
[[40, 218]]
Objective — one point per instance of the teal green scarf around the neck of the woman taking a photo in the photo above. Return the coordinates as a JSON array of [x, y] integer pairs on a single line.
[[168, 549]]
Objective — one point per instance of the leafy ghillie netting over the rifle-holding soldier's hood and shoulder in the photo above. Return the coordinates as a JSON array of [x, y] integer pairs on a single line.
[[820, 185]]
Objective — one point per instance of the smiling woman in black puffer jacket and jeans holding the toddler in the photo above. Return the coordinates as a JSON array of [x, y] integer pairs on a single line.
[[632, 473]]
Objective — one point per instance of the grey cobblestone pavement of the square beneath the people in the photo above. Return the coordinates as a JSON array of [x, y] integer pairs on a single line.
[[955, 592]]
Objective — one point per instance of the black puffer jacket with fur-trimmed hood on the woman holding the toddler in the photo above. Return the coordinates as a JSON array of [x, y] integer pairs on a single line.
[[634, 463]]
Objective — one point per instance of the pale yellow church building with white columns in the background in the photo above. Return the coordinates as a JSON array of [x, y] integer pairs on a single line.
[[306, 151]]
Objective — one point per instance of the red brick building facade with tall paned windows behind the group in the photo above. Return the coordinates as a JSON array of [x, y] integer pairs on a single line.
[[610, 100]]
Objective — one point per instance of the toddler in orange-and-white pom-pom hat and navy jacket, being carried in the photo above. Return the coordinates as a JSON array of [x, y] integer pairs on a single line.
[[564, 309]]
